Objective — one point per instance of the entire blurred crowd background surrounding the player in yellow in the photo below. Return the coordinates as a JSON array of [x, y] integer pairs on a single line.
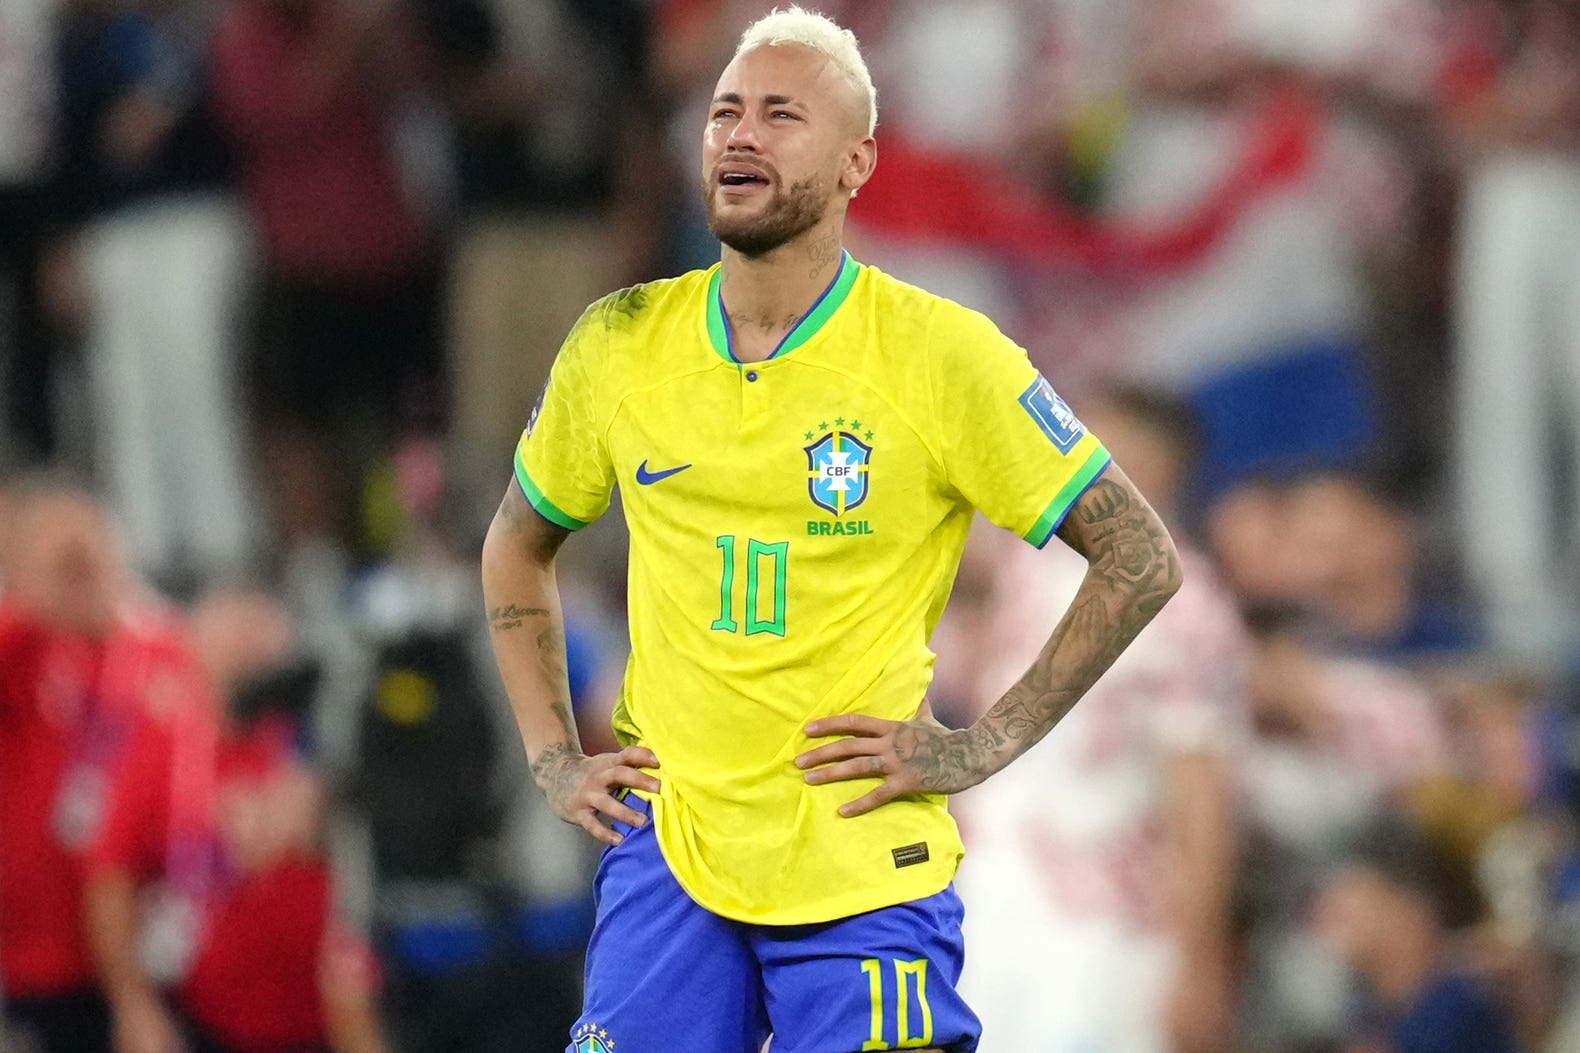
[[280, 282]]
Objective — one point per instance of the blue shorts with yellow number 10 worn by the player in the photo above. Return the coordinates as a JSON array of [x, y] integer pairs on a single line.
[[668, 976]]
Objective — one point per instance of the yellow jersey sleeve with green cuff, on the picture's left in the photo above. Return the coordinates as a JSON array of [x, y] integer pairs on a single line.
[[563, 462]]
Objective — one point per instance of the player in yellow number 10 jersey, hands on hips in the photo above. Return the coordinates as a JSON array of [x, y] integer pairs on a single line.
[[800, 443]]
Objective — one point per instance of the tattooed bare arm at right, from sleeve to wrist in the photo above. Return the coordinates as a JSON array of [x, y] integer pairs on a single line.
[[1132, 573]]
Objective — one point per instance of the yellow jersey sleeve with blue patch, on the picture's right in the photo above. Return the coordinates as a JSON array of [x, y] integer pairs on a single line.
[[1010, 445]]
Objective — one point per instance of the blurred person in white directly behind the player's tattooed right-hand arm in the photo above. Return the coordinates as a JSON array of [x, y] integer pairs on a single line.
[[1097, 881]]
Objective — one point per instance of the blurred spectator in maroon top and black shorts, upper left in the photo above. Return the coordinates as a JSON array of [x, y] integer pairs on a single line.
[[312, 94]]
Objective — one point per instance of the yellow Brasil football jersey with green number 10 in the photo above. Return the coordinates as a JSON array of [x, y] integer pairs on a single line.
[[796, 530]]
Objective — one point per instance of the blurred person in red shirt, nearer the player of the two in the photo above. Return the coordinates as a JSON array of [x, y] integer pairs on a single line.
[[216, 823]]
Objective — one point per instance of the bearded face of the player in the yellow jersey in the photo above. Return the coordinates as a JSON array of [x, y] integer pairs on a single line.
[[778, 149]]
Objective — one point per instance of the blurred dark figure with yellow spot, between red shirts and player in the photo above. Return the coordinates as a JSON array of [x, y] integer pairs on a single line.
[[478, 891]]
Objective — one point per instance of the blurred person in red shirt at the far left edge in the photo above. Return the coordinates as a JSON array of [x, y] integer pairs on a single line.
[[81, 655]]
